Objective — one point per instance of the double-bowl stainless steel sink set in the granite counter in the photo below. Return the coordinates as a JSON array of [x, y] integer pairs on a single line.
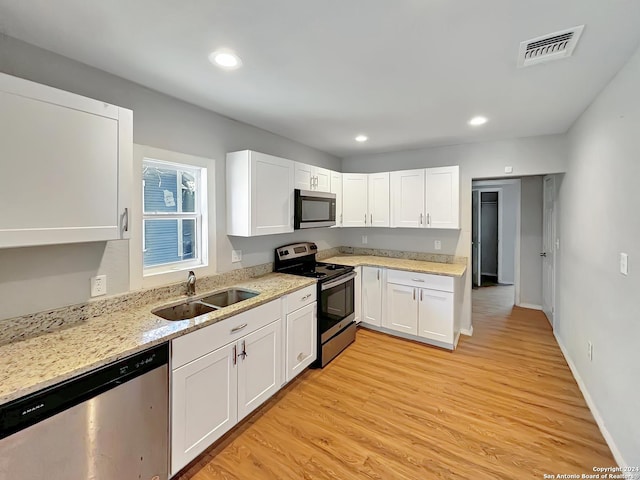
[[200, 305]]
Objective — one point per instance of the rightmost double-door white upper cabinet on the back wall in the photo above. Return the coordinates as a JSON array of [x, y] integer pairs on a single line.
[[426, 198]]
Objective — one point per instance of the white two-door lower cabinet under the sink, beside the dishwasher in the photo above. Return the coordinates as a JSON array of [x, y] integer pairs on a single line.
[[211, 390]]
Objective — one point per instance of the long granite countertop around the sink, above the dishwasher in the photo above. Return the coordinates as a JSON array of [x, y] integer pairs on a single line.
[[39, 362]]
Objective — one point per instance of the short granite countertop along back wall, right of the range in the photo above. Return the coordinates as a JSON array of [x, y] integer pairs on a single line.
[[419, 266]]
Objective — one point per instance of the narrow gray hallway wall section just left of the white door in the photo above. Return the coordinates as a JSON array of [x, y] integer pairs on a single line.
[[531, 241]]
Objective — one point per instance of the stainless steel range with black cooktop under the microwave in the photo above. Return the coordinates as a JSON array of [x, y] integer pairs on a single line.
[[336, 315]]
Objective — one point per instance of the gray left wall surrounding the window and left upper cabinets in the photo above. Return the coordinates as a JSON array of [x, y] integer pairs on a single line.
[[59, 275]]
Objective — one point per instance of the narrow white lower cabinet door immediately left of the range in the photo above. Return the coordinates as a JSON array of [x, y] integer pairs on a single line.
[[301, 339]]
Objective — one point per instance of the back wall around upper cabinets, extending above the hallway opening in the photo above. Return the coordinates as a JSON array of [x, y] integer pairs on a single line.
[[527, 156]]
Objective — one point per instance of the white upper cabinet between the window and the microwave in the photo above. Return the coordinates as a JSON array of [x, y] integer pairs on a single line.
[[259, 194]]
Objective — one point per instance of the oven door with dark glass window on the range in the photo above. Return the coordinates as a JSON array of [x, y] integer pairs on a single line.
[[336, 306]]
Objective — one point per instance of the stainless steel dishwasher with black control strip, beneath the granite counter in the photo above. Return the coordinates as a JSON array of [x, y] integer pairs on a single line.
[[108, 424]]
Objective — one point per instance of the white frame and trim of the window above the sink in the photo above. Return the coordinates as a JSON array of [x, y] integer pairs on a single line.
[[141, 277]]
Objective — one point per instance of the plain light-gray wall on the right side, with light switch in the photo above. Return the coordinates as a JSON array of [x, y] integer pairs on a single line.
[[598, 218]]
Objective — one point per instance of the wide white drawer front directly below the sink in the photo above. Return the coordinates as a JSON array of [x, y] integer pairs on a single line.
[[189, 347]]
